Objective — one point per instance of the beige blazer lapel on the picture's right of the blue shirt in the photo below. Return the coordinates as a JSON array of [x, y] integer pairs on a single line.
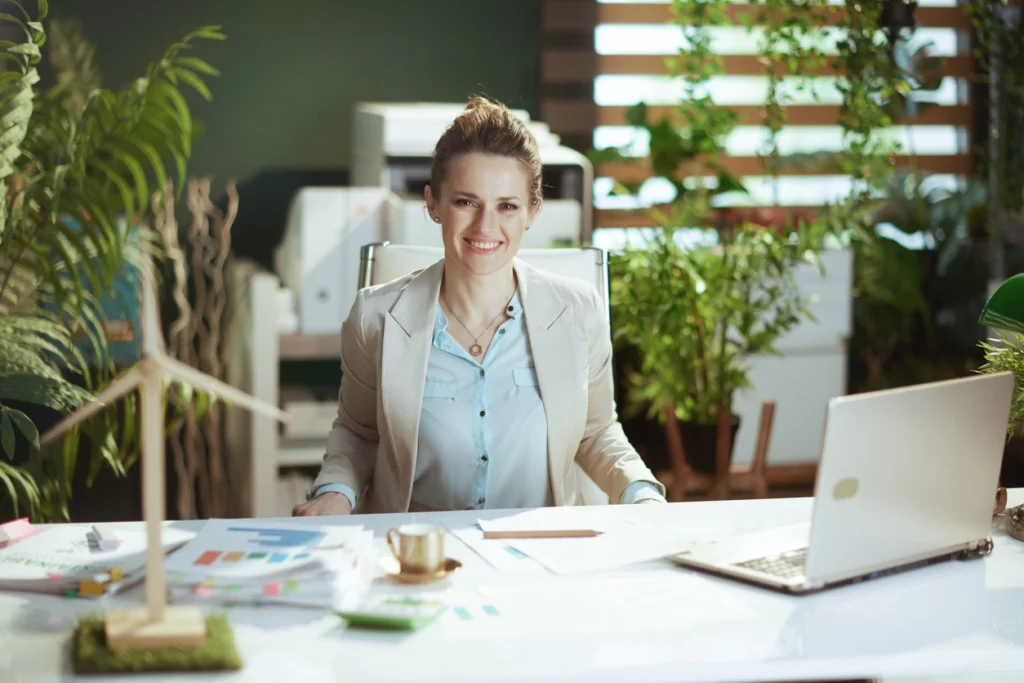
[[554, 347]]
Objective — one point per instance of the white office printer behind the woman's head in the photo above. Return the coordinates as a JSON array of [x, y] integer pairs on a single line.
[[393, 145]]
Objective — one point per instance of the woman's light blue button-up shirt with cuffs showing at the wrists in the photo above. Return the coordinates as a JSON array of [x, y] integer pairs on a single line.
[[484, 433]]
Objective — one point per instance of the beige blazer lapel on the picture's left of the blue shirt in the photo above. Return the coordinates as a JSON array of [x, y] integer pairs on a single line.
[[406, 350]]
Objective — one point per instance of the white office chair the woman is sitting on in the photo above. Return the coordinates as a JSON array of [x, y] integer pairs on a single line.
[[382, 263]]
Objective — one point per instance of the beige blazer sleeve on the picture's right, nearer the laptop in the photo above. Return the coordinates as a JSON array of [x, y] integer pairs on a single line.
[[606, 454]]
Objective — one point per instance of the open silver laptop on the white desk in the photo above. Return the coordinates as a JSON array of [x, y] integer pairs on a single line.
[[907, 478]]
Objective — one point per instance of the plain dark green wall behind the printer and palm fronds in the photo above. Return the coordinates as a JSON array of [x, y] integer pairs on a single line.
[[291, 73]]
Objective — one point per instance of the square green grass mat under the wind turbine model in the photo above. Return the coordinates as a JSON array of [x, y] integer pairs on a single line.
[[93, 657]]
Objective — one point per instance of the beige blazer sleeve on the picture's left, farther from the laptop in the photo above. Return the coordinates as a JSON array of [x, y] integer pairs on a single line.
[[352, 446]]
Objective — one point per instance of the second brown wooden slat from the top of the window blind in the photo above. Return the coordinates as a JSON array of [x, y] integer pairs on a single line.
[[563, 63]]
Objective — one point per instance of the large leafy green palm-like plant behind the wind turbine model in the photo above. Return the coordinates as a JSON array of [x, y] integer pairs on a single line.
[[77, 167]]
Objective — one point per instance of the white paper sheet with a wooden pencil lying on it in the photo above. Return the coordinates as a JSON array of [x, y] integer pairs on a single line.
[[609, 543]]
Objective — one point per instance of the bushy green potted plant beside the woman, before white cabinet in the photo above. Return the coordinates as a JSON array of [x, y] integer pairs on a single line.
[[697, 313]]
